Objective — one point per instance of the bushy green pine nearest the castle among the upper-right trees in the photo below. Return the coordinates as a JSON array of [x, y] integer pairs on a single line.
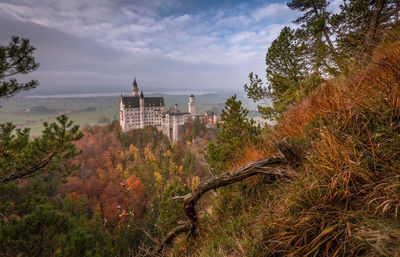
[[286, 75]]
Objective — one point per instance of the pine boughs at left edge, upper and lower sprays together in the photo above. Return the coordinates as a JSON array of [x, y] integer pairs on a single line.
[[20, 156]]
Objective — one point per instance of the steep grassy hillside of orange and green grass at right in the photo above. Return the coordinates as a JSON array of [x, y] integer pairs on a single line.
[[344, 198]]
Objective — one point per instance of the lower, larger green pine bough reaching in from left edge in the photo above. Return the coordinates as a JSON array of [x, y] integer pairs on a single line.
[[21, 156]]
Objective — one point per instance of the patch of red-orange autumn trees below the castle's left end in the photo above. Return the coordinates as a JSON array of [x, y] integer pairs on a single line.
[[105, 188]]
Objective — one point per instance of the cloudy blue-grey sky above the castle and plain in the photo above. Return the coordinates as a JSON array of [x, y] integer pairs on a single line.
[[99, 45]]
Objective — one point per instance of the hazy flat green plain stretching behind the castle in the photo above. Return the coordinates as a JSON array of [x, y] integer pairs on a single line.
[[32, 112]]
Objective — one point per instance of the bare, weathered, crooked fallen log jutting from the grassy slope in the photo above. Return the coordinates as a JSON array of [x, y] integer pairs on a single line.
[[278, 166]]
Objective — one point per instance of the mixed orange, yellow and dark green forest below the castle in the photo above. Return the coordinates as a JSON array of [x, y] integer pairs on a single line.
[[104, 207]]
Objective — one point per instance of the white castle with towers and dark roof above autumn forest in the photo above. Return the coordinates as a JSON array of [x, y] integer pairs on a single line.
[[139, 111]]
